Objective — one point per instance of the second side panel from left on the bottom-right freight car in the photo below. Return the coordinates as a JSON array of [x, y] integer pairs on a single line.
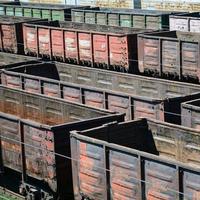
[[124, 175]]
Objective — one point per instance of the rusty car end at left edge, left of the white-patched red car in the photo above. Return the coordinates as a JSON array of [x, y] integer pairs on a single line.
[[11, 38]]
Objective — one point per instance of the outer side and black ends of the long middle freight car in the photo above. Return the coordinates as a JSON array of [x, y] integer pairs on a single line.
[[132, 105]]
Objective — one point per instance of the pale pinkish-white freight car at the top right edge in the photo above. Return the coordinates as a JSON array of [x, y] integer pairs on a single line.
[[187, 22]]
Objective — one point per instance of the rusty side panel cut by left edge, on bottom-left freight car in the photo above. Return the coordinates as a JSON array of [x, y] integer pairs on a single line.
[[10, 149]]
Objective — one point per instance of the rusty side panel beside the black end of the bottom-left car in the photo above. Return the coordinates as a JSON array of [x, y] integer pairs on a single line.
[[40, 162]]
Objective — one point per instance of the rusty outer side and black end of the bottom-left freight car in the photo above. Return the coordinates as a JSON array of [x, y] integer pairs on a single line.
[[35, 159]]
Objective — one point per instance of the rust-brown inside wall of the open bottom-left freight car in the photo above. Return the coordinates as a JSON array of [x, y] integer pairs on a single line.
[[44, 109]]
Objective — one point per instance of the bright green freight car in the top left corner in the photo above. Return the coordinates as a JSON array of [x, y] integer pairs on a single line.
[[39, 10]]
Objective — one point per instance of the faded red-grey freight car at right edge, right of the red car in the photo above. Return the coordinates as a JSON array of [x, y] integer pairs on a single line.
[[173, 54]]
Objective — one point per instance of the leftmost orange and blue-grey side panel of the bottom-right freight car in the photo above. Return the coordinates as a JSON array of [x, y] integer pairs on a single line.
[[91, 170]]
